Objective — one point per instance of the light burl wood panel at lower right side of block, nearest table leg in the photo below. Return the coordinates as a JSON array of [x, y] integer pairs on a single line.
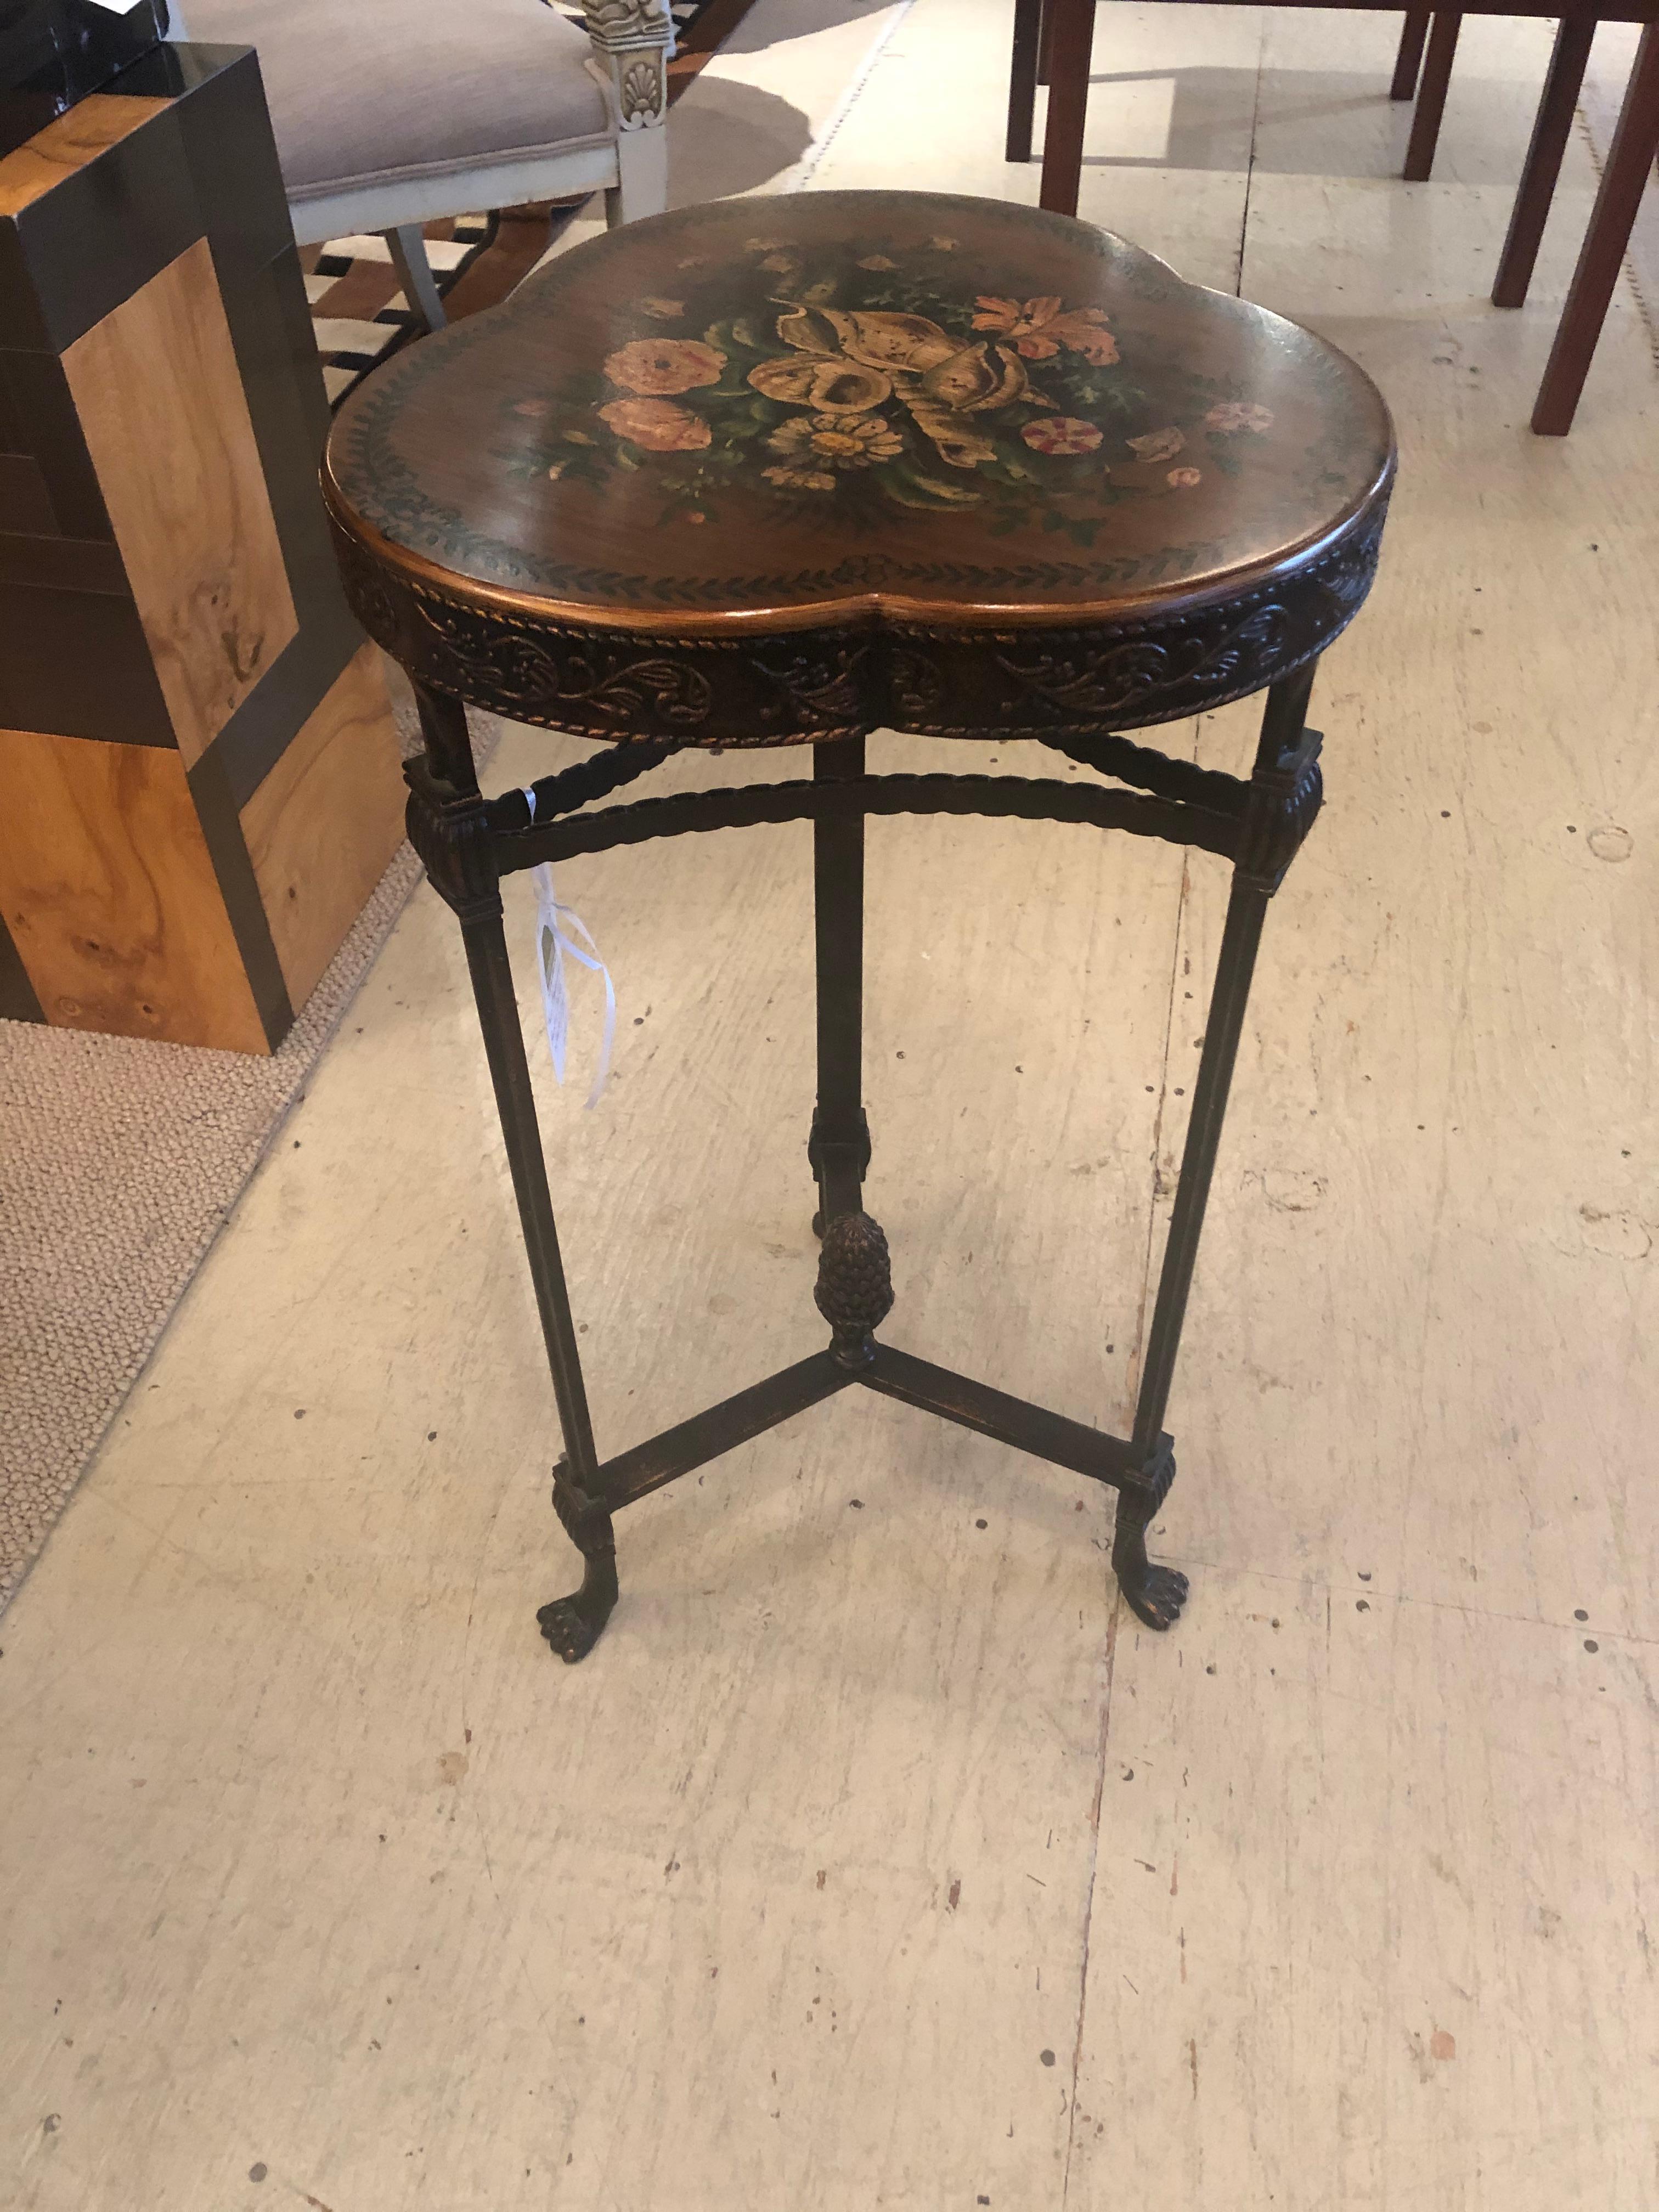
[[326, 822]]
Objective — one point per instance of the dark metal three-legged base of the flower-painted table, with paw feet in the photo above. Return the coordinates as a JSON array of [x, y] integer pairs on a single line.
[[468, 844]]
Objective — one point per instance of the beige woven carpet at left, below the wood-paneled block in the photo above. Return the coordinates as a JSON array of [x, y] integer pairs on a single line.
[[118, 1165]]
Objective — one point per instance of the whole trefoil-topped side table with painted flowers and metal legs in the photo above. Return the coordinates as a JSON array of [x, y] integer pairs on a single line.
[[784, 472]]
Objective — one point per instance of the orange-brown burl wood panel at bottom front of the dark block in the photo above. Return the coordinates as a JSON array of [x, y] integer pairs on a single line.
[[112, 899]]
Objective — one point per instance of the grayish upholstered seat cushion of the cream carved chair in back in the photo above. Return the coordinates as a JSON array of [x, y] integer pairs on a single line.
[[373, 92]]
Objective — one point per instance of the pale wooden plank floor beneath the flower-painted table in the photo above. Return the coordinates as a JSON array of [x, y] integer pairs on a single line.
[[877, 1859]]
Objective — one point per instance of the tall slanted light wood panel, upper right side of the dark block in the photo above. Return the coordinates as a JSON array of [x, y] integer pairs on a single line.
[[167, 424]]
